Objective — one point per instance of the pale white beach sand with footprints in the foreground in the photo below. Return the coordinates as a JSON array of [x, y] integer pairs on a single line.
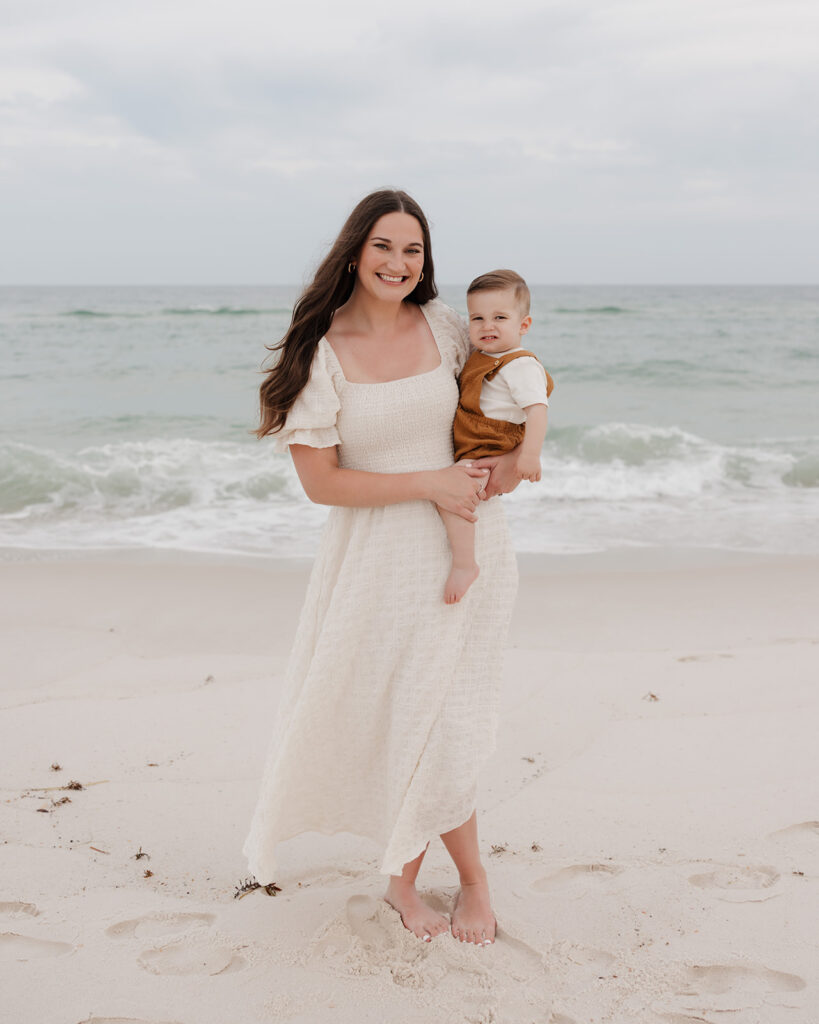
[[655, 860]]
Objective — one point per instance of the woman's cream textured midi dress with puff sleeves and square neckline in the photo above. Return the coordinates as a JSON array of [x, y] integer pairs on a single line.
[[391, 700]]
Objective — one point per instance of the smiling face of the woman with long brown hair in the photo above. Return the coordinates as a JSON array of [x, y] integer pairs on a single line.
[[393, 258]]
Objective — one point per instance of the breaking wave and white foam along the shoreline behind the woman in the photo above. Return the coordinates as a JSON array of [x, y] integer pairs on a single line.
[[622, 483]]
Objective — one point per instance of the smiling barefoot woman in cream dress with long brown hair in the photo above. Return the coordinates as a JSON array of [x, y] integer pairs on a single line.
[[391, 701]]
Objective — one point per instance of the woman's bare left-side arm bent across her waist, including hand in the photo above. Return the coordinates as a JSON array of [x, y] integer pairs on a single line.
[[455, 489]]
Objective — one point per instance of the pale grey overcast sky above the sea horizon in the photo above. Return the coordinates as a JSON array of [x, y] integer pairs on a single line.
[[188, 142]]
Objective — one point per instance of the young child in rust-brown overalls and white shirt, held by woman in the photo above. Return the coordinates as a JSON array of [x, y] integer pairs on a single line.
[[504, 398]]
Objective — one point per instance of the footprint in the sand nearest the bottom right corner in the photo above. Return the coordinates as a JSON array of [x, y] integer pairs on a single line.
[[720, 989]]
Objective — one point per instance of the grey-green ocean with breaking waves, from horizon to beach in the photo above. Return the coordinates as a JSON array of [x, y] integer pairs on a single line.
[[682, 417]]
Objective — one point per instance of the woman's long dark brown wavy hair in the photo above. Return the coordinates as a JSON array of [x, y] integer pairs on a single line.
[[329, 290]]
